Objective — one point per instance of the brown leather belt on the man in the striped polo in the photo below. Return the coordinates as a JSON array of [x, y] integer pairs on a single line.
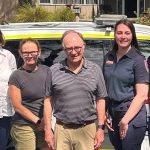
[[72, 125]]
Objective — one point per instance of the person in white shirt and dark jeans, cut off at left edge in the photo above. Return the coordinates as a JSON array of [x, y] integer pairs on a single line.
[[7, 66]]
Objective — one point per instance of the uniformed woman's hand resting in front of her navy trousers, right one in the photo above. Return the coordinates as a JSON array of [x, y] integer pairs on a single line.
[[123, 128]]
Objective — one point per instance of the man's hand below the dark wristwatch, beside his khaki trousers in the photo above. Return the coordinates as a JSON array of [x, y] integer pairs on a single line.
[[99, 138]]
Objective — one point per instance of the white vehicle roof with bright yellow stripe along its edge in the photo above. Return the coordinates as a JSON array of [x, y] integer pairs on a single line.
[[56, 29]]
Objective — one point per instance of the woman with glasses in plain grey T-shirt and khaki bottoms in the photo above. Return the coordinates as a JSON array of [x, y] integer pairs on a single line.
[[27, 92]]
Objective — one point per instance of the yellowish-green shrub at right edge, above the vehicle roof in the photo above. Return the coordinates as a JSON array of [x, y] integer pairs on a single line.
[[144, 19]]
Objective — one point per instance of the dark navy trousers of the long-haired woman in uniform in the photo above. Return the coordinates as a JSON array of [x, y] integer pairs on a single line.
[[136, 127]]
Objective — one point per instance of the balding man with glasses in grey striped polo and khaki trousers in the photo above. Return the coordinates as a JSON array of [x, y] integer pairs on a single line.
[[75, 87]]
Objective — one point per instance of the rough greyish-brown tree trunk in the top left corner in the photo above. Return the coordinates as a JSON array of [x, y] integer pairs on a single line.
[[7, 9]]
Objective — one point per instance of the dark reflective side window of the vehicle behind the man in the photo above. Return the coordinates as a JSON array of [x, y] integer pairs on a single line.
[[53, 53]]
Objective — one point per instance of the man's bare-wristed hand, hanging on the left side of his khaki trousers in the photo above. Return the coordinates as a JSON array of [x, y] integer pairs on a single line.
[[49, 138]]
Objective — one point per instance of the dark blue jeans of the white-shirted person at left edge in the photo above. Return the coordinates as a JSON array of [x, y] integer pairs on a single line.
[[5, 124]]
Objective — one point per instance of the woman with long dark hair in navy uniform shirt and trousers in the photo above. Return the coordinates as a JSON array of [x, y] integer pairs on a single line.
[[127, 82]]
